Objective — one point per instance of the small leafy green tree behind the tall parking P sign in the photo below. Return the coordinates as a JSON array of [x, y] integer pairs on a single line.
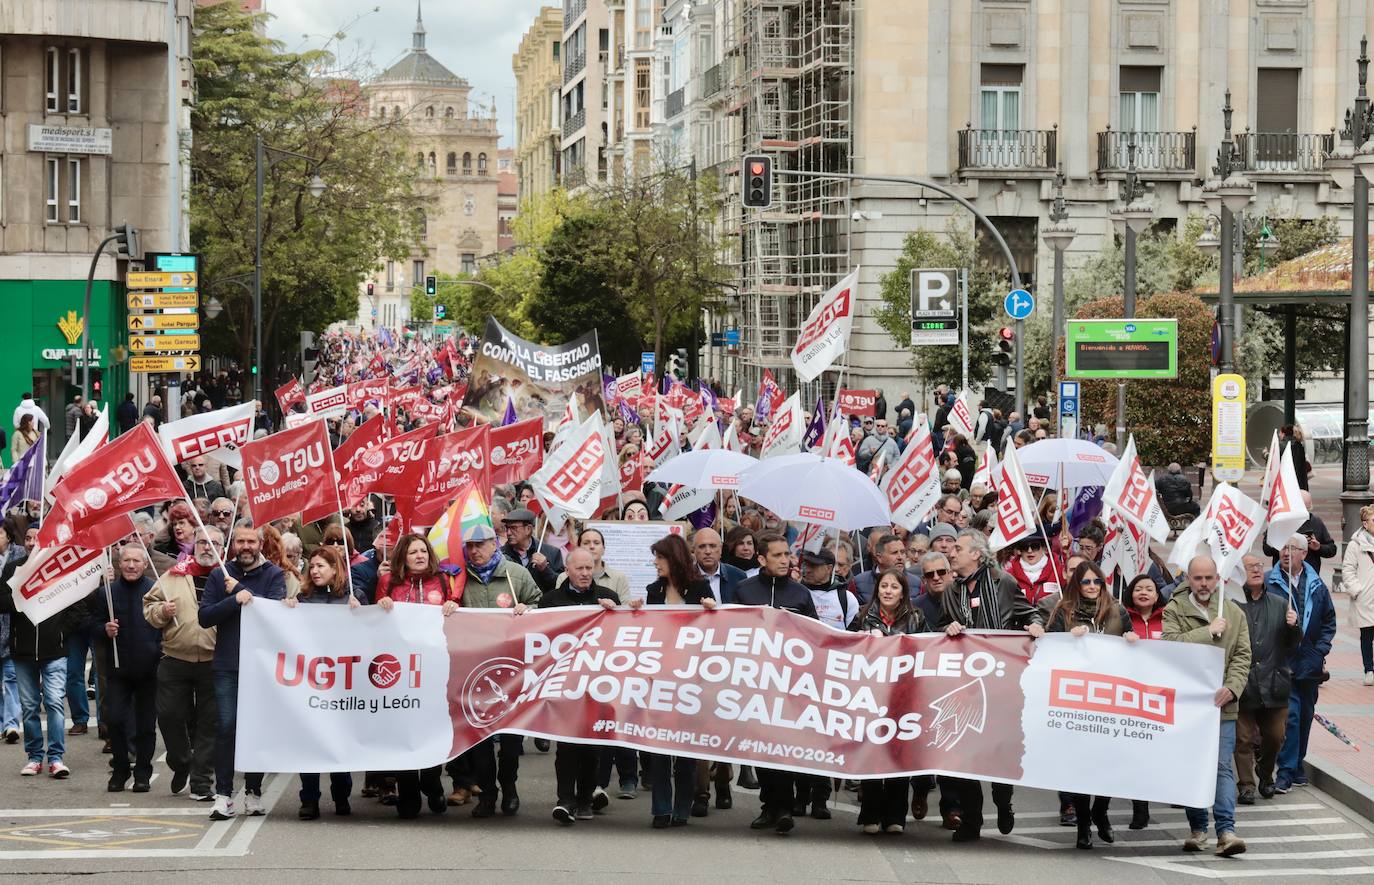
[[987, 287]]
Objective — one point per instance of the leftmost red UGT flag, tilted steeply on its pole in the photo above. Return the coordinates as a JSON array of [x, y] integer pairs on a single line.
[[119, 478]]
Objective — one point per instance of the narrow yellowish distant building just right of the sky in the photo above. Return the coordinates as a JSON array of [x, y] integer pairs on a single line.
[[539, 80]]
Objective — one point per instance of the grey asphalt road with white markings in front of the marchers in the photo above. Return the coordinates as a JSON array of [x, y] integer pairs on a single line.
[[53, 831]]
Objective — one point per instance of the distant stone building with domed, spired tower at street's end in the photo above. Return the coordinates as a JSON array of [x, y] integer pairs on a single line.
[[454, 144]]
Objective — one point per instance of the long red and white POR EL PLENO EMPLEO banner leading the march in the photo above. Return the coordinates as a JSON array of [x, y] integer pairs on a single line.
[[745, 685]]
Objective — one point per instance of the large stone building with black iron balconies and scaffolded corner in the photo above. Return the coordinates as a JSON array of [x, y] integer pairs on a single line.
[[991, 98]]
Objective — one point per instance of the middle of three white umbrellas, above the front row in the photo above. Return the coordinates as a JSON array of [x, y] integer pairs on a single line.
[[822, 491]]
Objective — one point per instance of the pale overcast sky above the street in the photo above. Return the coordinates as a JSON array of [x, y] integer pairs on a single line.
[[475, 39]]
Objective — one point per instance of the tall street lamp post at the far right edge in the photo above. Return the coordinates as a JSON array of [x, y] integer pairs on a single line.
[[1355, 482]]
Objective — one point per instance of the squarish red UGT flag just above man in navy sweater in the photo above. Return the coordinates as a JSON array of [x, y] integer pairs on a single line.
[[289, 473]]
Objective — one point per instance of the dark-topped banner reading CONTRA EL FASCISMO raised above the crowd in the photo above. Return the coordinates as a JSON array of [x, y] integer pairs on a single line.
[[538, 379]]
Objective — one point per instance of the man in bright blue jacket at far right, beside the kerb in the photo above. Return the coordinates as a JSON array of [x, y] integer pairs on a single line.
[[1296, 581]]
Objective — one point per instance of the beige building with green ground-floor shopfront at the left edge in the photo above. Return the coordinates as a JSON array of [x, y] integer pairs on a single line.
[[93, 108]]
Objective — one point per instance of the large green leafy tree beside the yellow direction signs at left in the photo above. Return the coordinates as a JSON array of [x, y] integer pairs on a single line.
[[317, 251]]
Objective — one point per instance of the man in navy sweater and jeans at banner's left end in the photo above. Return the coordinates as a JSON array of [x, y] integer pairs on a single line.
[[245, 578]]
